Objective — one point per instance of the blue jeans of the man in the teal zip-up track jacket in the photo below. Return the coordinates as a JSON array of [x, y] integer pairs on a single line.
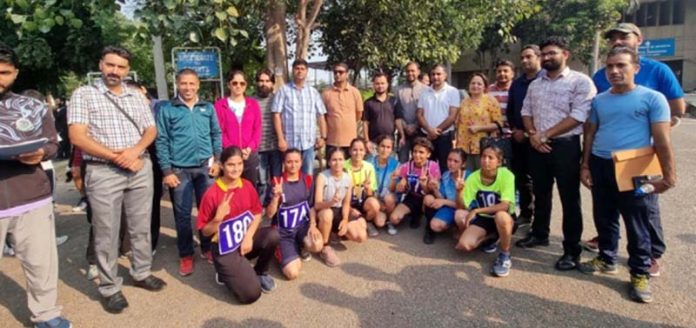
[[192, 180]]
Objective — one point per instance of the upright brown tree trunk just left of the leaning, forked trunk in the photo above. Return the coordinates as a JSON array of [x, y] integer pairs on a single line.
[[275, 30]]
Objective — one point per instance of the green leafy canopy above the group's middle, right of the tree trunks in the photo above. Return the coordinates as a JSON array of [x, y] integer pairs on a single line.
[[389, 33]]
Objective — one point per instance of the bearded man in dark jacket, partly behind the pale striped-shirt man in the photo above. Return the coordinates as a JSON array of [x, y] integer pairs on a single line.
[[531, 66]]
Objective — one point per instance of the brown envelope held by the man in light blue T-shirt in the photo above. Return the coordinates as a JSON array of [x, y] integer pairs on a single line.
[[632, 163]]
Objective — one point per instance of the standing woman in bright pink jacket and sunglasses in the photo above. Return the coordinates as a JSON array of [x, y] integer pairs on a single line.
[[240, 121]]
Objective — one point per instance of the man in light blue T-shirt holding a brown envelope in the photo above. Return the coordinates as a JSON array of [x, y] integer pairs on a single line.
[[627, 116]]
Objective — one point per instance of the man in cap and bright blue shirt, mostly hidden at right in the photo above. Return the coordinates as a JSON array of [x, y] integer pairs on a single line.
[[657, 76]]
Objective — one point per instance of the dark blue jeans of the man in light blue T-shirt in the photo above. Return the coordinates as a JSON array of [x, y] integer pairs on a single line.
[[608, 203]]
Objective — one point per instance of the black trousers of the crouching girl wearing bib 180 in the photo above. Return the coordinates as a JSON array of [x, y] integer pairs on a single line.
[[235, 271]]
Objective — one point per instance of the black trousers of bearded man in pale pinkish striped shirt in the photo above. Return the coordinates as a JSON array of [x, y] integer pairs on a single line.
[[562, 166]]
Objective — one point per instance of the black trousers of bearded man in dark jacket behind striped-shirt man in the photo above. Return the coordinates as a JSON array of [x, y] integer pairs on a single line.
[[523, 180]]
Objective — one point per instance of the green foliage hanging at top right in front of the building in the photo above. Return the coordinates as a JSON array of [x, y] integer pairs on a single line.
[[576, 20]]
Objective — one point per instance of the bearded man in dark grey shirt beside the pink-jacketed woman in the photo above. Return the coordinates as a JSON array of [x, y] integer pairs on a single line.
[[269, 156]]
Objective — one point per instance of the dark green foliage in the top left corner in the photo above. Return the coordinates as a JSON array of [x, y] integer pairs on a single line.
[[60, 41]]
